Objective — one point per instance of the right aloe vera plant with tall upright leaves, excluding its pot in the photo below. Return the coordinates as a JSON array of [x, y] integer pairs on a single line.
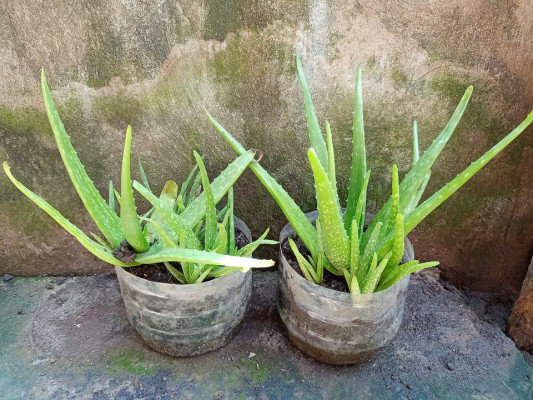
[[369, 259]]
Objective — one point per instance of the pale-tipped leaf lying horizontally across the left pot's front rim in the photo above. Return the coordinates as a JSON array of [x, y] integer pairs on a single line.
[[199, 257]]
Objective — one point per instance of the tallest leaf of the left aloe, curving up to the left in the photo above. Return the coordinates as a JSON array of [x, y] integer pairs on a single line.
[[105, 219]]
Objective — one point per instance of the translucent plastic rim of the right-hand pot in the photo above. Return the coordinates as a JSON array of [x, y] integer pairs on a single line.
[[332, 293]]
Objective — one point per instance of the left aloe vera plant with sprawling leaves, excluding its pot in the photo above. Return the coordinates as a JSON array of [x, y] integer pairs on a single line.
[[172, 231]]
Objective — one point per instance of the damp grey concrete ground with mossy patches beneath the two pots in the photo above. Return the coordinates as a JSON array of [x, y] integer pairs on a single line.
[[69, 339]]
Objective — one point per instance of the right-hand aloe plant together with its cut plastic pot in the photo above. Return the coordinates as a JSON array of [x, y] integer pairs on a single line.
[[371, 254]]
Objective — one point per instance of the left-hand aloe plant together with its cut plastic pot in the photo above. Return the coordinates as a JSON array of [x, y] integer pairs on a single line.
[[205, 308]]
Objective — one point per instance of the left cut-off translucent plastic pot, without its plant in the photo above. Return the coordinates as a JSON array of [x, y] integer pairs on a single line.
[[187, 320]]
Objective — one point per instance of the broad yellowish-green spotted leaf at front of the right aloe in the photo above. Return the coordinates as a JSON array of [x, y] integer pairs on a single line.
[[336, 242]]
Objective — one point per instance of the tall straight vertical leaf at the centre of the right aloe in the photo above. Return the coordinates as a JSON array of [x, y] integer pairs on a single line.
[[358, 170]]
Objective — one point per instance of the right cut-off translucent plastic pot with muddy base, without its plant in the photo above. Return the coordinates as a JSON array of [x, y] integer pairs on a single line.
[[336, 327]]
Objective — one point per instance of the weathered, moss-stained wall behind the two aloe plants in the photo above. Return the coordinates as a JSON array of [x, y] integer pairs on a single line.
[[156, 64]]
